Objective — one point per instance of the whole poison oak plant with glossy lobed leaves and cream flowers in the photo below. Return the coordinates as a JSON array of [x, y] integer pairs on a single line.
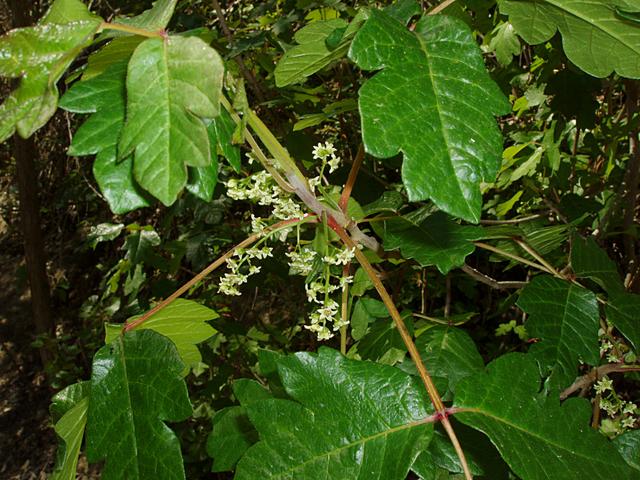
[[163, 106]]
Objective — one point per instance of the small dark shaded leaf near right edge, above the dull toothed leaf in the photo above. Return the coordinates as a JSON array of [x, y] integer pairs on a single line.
[[588, 260]]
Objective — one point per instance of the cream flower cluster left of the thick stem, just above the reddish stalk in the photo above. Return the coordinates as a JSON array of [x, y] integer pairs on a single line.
[[261, 189]]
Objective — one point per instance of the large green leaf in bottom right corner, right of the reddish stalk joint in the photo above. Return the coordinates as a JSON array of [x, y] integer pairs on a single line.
[[537, 437]]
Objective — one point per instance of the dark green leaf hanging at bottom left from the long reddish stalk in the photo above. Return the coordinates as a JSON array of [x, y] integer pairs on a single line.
[[136, 385]]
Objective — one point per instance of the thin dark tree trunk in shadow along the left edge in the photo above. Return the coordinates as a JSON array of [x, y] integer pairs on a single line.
[[24, 152]]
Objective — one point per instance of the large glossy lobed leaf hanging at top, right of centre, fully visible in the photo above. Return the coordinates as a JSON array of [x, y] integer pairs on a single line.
[[433, 84]]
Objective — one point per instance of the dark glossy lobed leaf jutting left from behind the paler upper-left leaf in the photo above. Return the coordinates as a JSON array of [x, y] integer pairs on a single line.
[[104, 96]]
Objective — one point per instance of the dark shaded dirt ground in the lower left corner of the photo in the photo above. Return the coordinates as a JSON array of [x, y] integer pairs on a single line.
[[27, 441]]
